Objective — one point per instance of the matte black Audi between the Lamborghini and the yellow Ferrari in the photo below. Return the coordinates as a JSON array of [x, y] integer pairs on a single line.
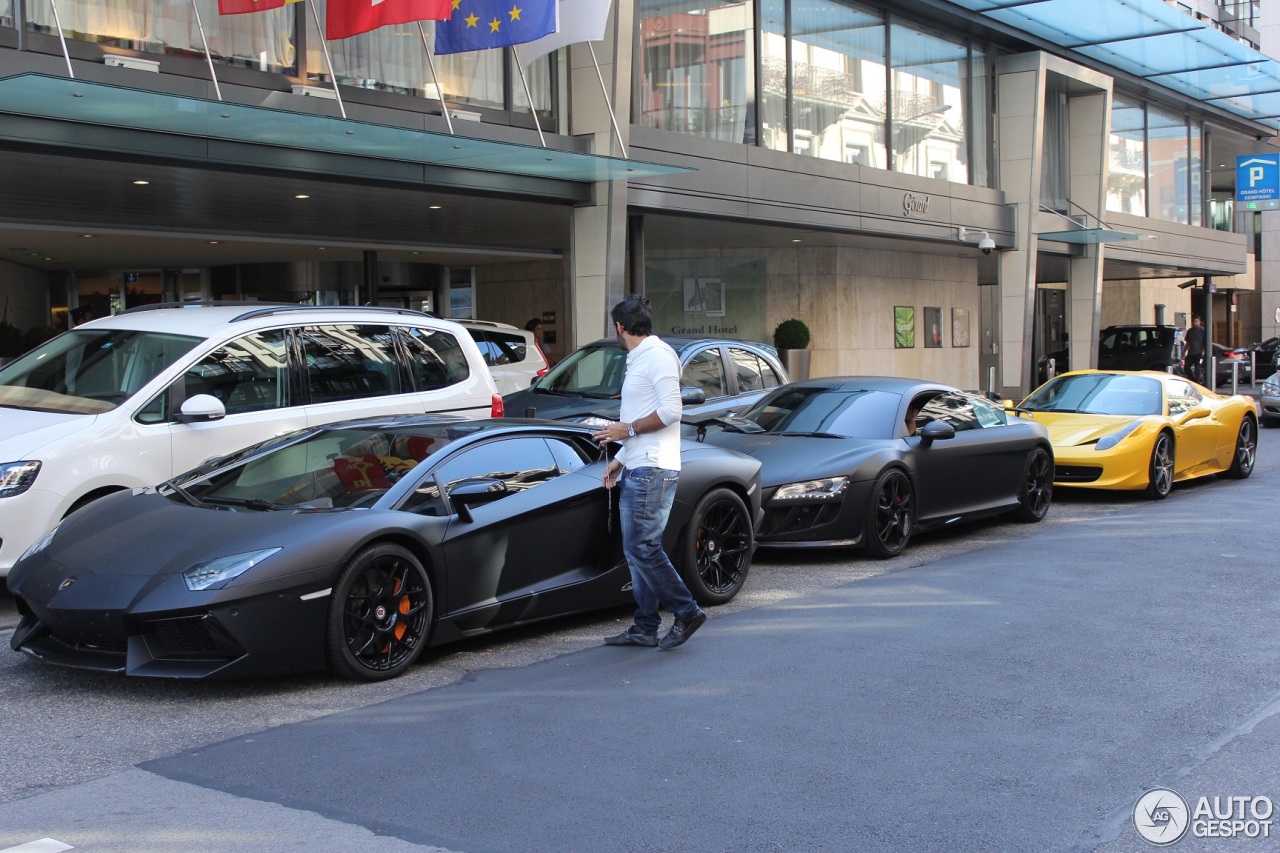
[[871, 460]]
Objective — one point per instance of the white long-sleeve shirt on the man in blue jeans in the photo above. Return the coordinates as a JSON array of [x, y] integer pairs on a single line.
[[652, 385]]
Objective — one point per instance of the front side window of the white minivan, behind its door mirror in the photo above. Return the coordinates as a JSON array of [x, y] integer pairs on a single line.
[[248, 375]]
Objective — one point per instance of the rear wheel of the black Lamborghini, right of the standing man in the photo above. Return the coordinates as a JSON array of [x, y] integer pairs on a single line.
[[716, 551]]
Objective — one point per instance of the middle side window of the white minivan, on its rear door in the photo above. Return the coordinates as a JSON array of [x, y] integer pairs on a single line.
[[348, 362]]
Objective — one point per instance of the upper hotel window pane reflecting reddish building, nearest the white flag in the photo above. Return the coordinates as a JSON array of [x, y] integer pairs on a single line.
[[697, 69]]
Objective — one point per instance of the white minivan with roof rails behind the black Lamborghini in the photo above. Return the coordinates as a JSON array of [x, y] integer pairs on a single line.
[[136, 399]]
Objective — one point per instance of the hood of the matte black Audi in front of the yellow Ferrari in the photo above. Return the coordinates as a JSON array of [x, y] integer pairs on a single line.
[[794, 459]]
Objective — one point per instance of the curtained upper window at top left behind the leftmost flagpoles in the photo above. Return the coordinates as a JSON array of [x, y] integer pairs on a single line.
[[263, 40]]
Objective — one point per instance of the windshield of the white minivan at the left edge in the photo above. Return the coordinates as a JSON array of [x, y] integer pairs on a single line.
[[89, 372]]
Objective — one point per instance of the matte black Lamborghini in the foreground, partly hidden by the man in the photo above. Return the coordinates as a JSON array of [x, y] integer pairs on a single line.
[[356, 545]]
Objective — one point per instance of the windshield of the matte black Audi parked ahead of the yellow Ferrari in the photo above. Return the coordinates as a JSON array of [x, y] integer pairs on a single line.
[[839, 412]]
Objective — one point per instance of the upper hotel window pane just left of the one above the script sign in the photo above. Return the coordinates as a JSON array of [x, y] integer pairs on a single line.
[[838, 54]]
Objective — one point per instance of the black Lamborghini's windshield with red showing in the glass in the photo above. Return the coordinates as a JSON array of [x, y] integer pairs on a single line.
[[331, 468]]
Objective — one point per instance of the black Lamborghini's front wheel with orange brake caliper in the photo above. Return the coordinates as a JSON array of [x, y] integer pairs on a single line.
[[380, 615]]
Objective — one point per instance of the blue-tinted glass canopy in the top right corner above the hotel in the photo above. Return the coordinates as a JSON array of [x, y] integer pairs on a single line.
[[1155, 42]]
